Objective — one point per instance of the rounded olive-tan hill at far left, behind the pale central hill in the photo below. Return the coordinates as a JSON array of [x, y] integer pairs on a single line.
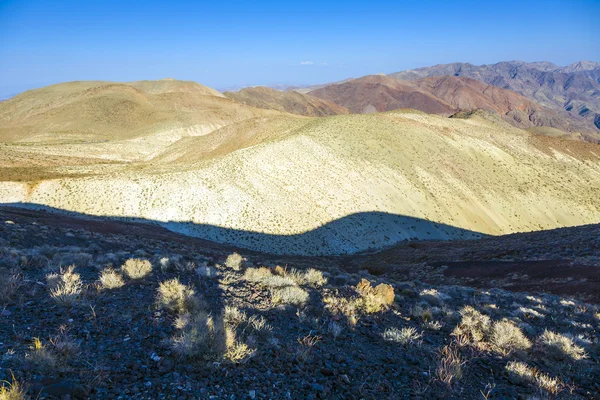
[[125, 121]]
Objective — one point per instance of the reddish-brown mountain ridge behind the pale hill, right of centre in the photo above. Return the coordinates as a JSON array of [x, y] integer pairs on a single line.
[[448, 95]]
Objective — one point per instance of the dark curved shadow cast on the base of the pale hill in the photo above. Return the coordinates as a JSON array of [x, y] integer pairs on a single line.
[[359, 232]]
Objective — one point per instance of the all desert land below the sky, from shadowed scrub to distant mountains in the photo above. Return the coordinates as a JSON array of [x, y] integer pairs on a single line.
[[420, 235]]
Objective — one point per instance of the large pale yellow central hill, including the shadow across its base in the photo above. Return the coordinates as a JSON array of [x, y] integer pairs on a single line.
[[342, 184]]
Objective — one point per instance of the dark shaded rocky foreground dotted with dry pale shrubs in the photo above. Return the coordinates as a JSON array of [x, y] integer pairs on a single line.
[[97, 309]]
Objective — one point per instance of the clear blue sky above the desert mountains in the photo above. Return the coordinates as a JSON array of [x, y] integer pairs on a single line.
[[231, 43]]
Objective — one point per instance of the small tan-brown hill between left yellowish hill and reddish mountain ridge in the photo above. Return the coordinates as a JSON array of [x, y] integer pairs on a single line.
[[286, 101]]
